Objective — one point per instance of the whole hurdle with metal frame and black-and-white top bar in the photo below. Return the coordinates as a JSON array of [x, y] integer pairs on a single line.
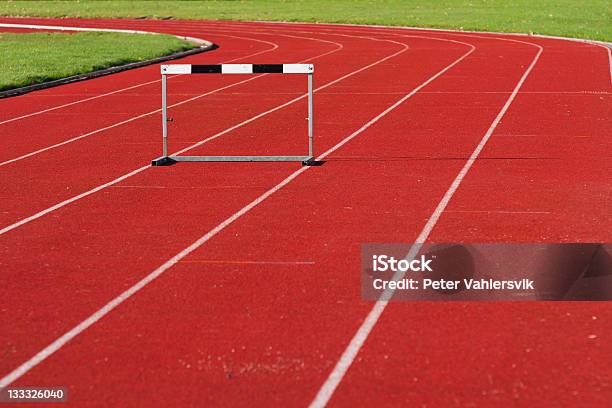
[[307, 69]]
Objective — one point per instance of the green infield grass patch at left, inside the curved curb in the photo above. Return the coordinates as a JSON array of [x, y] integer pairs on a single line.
[[39, 57]]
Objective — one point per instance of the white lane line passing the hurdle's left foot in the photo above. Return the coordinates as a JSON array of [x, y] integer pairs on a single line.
[[66, 202]]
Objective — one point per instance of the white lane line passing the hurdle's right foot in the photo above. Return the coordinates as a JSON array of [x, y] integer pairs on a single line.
[[66, 337]]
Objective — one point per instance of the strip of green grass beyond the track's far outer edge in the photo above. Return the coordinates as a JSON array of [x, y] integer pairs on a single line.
[[574, 18]]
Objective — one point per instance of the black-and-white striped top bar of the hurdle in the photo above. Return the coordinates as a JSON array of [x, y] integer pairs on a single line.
[[238, 69]]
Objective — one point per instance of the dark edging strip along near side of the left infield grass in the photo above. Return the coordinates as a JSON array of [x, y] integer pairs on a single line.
[[107, 71]]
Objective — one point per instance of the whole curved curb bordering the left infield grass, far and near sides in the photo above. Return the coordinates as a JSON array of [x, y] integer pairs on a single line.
[[203, 46]]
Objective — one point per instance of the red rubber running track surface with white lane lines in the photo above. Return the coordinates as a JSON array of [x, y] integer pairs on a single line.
[[259, 314]]
